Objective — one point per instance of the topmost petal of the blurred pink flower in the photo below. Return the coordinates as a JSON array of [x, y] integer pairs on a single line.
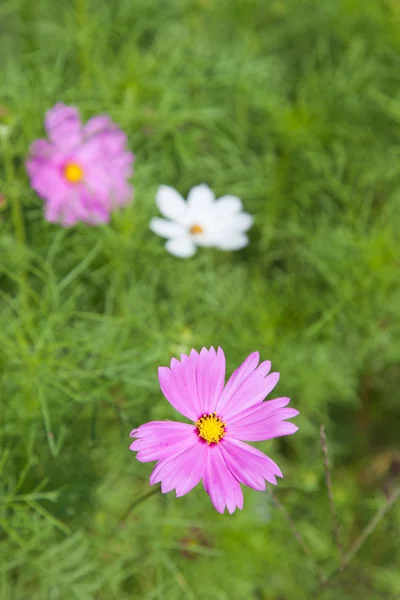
[[63, 126]]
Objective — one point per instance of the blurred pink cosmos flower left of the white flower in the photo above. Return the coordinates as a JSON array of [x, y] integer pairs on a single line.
[[81, 171]]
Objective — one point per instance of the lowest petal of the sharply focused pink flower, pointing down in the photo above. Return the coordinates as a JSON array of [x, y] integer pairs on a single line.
[[219, 483]]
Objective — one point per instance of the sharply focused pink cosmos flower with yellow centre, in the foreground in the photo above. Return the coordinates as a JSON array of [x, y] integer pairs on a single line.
[[224, 416]]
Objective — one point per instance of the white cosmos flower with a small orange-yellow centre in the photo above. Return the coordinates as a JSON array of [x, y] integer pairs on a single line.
[[200, 221]]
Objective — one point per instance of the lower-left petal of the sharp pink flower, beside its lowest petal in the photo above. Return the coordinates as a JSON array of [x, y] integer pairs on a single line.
[[182, 471]]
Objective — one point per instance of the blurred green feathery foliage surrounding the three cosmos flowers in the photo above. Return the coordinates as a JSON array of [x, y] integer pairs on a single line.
[[293, 105]]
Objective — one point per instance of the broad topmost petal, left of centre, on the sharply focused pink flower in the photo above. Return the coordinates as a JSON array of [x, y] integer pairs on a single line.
[[193, 385]]
